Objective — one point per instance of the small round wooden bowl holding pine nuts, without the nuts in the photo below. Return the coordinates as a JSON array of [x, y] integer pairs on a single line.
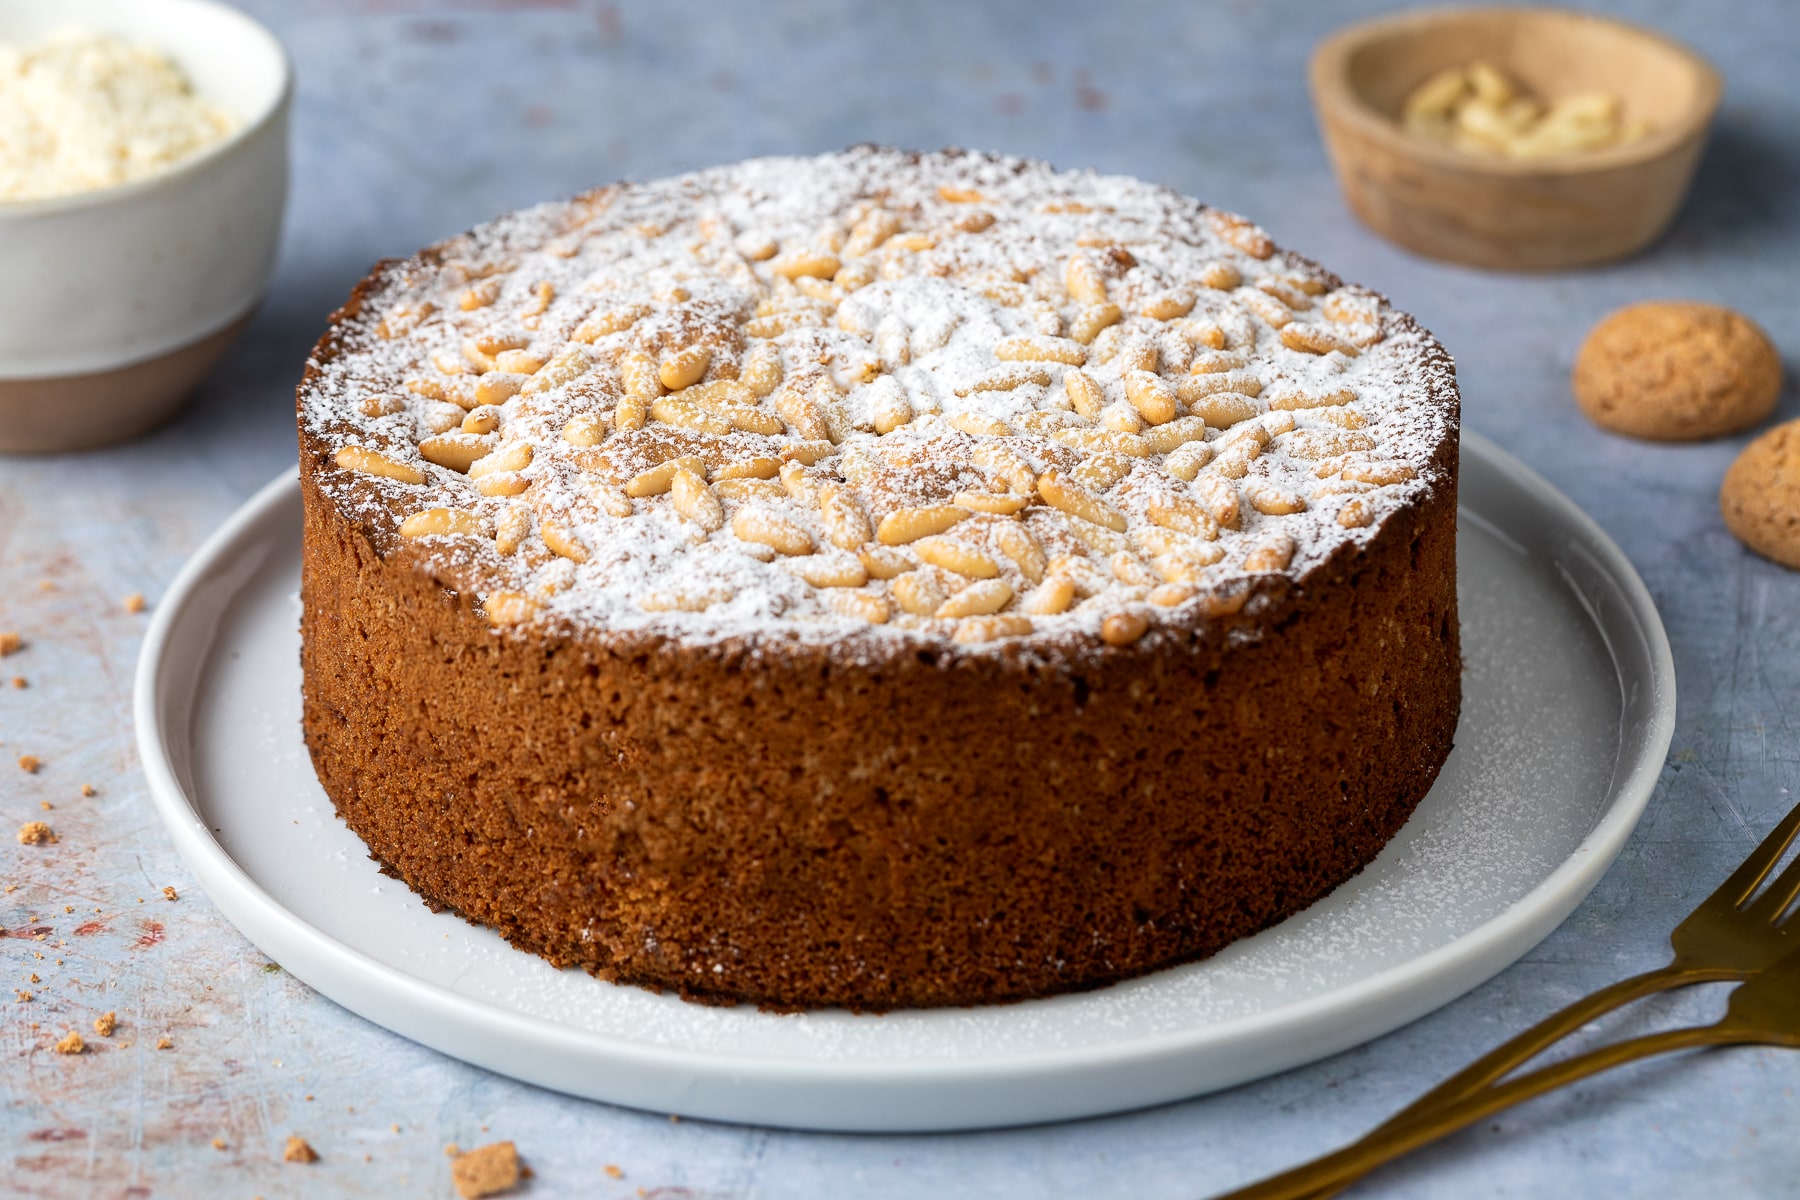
[[1507, 213]]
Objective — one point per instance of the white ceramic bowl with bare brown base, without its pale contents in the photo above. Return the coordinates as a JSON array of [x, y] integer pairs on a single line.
[[116, 303]]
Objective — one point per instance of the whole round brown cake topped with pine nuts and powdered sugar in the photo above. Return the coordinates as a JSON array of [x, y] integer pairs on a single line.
[[876, 580]]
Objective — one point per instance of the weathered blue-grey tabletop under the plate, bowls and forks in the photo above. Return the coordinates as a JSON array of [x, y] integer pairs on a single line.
[[420, 118]]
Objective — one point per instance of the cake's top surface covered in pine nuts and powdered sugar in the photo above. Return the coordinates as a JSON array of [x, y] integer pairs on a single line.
[[872, 397]]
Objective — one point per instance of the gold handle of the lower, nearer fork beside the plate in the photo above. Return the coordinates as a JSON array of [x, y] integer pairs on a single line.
[[1345, 1167]]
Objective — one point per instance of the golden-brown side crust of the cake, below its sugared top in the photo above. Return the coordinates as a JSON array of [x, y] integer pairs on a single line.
[[766, 819]]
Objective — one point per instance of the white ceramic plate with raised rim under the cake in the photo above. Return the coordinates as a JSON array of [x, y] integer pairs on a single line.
[[1569, 708]]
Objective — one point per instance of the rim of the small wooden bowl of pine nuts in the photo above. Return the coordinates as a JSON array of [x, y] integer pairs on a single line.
[[1329, 78]]
